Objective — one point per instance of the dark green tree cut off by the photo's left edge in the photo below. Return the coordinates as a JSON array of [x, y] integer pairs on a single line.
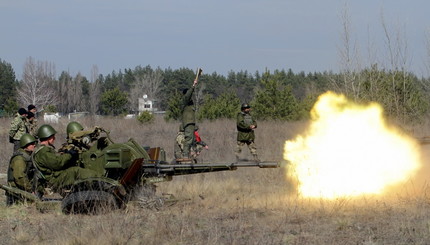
[[8, 85]]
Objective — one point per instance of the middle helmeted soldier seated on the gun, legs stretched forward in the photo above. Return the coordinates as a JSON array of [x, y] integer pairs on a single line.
[[58, 170]]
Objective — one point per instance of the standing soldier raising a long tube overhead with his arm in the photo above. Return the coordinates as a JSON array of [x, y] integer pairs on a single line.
[[188, 119]]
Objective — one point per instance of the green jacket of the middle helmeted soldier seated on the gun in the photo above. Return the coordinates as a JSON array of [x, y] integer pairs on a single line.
[[49, 162]]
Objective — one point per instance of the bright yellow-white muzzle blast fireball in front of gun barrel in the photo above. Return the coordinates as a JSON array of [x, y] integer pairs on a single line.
[[349, 150]]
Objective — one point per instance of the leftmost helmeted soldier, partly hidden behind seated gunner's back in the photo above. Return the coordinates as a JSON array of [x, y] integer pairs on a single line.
[[21, 171]]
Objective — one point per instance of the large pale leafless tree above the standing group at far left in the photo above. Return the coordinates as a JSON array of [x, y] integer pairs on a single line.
[[37, 84]]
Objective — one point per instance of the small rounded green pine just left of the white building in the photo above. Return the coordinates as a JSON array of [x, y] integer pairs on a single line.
[[114, 102]]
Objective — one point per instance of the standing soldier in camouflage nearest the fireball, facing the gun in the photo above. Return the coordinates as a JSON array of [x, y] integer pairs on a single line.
[[245, 131]]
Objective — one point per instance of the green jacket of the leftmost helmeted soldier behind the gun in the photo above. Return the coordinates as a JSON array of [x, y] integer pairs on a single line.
[[21, 171]]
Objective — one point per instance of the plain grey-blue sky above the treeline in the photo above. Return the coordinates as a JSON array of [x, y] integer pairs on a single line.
[[216, 35]]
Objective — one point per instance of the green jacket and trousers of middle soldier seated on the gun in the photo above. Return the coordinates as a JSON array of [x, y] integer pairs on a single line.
[[56, 168]]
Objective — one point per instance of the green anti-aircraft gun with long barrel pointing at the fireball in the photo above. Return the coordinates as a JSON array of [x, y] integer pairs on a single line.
[[126, 168]]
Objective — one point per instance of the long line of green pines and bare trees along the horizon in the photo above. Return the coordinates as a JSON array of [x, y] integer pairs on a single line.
[[278, 94]]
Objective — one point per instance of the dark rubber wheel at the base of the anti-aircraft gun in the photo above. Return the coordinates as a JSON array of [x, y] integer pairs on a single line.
[[89, 202]]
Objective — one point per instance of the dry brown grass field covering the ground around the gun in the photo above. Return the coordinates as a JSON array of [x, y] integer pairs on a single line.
[[247, 206]]
